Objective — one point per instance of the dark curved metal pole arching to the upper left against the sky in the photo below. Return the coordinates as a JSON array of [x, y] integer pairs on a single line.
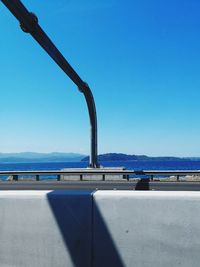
[[29, 24]]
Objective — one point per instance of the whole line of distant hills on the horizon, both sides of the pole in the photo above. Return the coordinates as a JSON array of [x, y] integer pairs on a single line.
[[32, 157]]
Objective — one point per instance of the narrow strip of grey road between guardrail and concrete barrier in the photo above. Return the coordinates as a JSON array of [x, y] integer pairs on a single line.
[[99, 185]]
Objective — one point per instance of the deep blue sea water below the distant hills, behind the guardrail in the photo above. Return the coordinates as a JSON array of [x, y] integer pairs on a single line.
[[131, 165]]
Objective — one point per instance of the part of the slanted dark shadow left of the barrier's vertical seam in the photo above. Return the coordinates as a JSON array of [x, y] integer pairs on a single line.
[[72, 212]]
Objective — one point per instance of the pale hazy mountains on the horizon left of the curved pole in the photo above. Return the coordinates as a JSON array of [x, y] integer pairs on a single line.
[[26, 157]]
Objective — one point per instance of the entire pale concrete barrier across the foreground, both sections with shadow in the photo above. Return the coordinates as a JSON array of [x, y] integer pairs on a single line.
[[104, 229]]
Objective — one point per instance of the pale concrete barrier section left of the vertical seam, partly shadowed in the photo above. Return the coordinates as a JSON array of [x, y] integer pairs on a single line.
[[45, 228]]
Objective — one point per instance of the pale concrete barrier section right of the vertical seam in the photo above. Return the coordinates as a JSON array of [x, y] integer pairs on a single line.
[[146, 229]]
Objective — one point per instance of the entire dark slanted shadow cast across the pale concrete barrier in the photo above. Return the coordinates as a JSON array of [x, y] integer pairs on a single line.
[[83, 229]]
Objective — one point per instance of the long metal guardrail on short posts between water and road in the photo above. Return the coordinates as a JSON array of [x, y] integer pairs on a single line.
[[125, 174]]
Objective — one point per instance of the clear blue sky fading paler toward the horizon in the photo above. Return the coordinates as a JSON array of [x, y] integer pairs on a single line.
[[141, 58]]
